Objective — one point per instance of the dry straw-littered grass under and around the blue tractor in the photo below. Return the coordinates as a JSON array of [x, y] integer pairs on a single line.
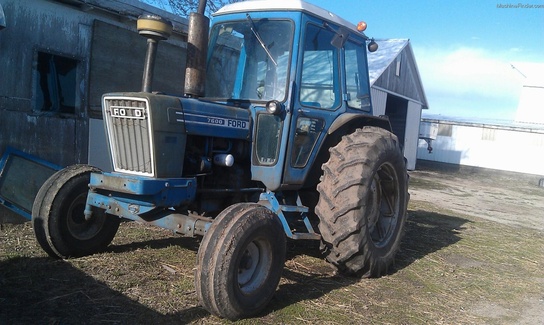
[[452, 269]]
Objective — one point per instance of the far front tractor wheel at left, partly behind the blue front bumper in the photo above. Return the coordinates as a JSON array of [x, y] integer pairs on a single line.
[[58, 219]]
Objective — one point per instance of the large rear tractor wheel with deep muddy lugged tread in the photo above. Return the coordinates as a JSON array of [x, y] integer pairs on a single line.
[[363, 196]]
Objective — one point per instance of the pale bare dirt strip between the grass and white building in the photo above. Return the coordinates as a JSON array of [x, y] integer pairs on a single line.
[[513, 199]]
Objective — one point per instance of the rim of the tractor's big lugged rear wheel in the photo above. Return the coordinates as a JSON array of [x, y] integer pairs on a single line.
[[384, 215]]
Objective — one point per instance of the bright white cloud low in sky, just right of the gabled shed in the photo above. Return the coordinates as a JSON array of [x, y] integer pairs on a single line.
[[463, 76]]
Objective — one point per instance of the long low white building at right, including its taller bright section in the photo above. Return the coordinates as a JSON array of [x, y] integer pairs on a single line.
[[516, 146]]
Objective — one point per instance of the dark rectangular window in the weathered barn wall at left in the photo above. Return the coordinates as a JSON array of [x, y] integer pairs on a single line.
[[56, 84]]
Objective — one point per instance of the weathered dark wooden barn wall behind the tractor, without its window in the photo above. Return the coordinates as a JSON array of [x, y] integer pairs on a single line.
[[109, 55]]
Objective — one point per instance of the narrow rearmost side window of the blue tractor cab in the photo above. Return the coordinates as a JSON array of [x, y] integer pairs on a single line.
[[356, 76]]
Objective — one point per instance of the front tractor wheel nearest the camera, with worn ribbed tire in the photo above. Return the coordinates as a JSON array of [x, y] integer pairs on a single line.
[[240, 261]]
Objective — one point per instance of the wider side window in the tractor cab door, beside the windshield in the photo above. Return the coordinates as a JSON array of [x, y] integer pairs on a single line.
[[319, 86]]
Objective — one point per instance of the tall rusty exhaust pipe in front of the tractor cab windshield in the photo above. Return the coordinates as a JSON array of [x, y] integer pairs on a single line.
[[197, 49]]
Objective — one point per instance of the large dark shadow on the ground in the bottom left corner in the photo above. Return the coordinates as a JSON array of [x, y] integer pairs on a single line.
[[48, 291]]
